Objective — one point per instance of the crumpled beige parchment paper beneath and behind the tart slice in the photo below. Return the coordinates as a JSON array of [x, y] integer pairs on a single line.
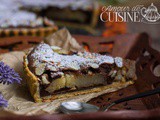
[[18, 96]]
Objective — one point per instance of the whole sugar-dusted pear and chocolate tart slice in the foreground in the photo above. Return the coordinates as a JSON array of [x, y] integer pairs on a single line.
[[54, 73]]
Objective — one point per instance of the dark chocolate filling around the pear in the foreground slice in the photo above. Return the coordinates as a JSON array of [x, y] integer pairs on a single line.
[[103, 69]]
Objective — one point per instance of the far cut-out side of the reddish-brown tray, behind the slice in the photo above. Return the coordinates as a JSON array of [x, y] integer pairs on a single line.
[[102, 45]]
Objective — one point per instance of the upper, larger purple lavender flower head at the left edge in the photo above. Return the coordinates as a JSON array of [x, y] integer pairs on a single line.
[[8, 75]]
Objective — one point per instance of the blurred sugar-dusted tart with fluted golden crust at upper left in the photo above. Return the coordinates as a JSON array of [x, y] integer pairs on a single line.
[[17, 22]]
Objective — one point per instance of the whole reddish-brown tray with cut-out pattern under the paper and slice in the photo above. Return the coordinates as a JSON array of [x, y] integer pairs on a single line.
[[135, 46]]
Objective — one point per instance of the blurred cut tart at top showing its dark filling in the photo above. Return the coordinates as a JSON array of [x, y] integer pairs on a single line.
[[81, 14]]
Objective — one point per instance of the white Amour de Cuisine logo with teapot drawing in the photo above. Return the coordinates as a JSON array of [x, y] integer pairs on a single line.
[[137, 13]]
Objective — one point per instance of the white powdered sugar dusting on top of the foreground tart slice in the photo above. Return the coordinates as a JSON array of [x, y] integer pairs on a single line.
[[44, 54]]
